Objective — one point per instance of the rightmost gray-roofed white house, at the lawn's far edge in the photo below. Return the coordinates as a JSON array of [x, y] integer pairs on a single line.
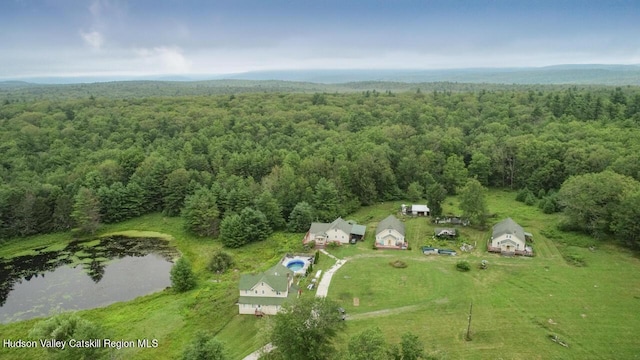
[[509, 238]]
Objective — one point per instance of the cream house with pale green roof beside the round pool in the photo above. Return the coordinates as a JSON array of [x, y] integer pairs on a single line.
[[264, 293]]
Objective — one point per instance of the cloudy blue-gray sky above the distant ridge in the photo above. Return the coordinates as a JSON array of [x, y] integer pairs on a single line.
[[148, 37]]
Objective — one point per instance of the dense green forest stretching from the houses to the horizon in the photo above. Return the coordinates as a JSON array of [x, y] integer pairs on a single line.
[[272, 159]]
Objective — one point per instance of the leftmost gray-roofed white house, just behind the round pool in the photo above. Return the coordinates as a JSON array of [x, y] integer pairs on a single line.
[[339, 231]]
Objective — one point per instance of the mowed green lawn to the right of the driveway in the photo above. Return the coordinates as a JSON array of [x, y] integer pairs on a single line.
[[517, 302]]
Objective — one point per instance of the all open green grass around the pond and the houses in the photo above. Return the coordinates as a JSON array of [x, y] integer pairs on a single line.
[[517, 302]]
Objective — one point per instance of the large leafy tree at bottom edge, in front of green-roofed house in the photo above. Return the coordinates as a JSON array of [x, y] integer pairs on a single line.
[[305, 328]]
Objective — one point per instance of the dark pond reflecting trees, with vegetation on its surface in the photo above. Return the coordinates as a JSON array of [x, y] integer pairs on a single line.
[[83, 275]]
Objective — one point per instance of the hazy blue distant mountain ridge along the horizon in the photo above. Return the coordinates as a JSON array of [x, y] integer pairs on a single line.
[[580, 74]]
